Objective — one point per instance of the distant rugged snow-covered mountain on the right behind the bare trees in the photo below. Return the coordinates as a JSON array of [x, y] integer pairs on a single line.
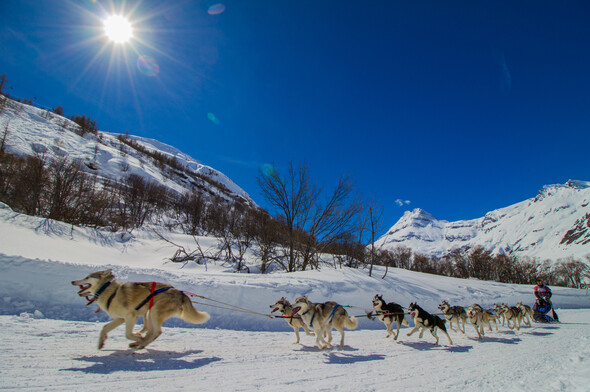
[[553, 225]]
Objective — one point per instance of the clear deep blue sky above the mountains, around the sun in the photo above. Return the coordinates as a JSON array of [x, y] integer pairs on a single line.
[[455, 107]]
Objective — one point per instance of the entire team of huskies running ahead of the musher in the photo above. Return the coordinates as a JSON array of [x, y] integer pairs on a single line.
[[157, 302]]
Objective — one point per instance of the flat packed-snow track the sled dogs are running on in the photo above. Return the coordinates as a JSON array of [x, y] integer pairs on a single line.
[[58, 355]]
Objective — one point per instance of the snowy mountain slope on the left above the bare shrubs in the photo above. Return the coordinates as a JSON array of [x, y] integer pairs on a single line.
[[30, 130]]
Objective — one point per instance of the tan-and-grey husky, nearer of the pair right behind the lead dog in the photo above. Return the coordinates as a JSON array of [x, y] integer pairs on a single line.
[[322, 317]]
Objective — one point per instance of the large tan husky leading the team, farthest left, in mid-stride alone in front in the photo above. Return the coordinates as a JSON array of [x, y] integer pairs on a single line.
[[126, 302]]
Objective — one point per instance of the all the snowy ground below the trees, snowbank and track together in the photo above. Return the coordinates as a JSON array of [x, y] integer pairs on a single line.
[[49, 336]]
